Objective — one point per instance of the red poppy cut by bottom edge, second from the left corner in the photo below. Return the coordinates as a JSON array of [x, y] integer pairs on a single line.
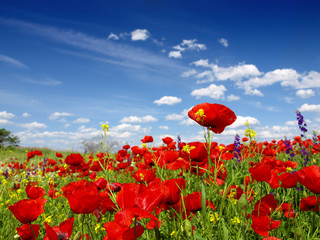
[[63, 231]]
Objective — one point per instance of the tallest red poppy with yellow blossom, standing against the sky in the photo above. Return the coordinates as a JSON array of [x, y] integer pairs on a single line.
[[214, 116]]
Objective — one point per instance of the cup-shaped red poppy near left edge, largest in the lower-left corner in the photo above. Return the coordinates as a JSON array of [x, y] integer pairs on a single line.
[[28, 210]]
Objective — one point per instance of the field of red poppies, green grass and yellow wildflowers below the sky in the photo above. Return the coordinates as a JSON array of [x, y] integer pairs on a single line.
[[178, 190]]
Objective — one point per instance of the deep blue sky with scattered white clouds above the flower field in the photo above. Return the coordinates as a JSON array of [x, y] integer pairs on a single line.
[[66, 67]]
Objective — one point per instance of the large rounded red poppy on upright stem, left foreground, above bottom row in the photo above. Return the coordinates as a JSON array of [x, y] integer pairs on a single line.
[[82, 196]]
